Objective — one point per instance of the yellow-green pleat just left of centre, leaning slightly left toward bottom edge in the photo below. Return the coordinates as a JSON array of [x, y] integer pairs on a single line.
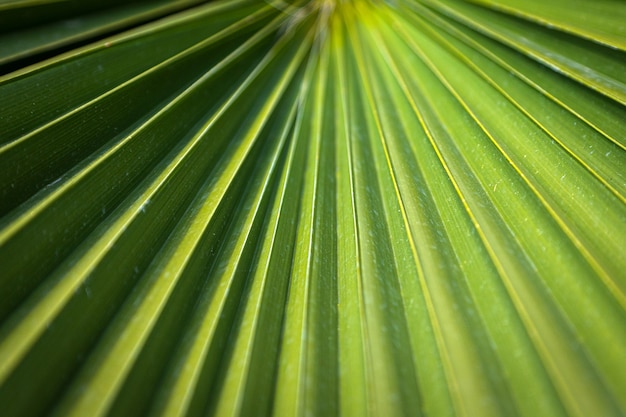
[[294, 393]]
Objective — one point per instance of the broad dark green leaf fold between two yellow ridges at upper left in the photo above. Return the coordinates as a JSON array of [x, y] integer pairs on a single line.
[[74, 72]]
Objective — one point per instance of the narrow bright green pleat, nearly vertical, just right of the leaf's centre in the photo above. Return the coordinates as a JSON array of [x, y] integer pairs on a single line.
[[353, 372]]
